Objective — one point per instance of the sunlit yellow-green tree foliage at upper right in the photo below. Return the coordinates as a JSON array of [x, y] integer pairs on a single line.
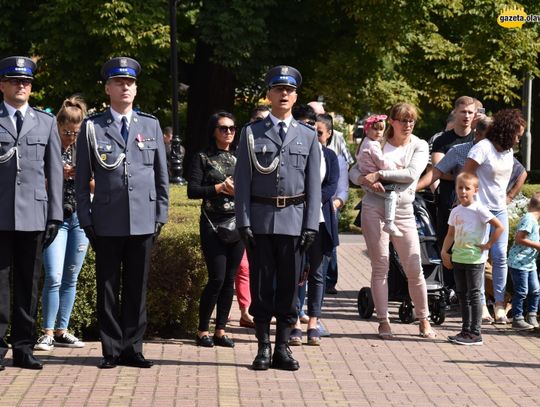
[[429, 52]]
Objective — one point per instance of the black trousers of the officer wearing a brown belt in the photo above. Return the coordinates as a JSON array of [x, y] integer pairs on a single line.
[[274, 267]]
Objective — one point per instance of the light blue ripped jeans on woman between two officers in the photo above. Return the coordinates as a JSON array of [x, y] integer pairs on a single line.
[[63, 261]]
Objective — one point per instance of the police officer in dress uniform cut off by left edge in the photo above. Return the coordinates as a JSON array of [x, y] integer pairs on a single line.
[[30, 204]]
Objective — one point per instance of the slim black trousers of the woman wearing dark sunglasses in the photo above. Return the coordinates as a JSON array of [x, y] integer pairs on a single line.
[[222, 261]]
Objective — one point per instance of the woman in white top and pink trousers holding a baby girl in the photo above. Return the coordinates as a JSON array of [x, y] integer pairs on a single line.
[[410, 154]]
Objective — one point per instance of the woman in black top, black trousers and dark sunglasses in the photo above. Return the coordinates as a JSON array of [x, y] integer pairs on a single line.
[[211, 180]]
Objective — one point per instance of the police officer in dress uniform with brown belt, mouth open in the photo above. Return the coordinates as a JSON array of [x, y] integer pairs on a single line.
[[278, 200]]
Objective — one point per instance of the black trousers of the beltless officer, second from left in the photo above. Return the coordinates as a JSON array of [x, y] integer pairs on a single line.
[[122, 265]]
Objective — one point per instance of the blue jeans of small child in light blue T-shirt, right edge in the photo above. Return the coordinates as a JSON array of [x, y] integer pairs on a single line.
[[526, 287]]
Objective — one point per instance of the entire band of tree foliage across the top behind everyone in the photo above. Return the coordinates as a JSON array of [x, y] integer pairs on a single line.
[[362, 55]]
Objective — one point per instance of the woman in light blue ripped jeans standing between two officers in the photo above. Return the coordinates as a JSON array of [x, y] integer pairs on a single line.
[[64, 258]]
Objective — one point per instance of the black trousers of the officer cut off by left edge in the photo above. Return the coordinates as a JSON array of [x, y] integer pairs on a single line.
[[20, 259]]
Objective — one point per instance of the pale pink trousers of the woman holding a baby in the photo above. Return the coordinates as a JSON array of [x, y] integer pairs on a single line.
[[408, 250]]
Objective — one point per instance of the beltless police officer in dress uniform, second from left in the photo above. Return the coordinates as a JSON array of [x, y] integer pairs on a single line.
[[123, 151]]
